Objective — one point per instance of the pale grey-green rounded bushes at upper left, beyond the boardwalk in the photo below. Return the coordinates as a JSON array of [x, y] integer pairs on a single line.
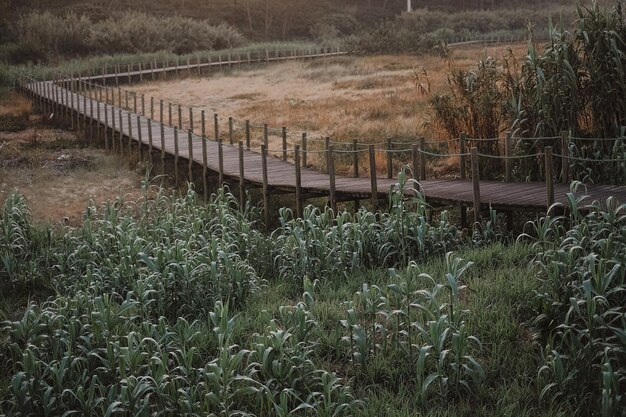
[[43, 35]]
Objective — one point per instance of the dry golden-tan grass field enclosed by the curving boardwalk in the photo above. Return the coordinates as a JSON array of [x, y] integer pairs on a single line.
[[365, 98]]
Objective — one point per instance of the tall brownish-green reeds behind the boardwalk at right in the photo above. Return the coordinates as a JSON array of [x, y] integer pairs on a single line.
[[574, 83]]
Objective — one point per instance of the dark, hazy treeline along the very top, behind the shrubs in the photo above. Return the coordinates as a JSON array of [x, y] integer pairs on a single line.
[[263, 20]]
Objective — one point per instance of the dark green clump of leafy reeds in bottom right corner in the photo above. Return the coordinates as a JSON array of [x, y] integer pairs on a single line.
[[582, 306]]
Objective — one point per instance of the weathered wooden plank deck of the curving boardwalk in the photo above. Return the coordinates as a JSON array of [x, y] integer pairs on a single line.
[[281, 175]]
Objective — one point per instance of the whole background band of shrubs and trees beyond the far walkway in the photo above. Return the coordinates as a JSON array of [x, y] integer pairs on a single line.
[[47, 30]]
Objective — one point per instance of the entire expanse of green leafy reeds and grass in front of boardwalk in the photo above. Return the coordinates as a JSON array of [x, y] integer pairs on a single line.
[[170, 306]]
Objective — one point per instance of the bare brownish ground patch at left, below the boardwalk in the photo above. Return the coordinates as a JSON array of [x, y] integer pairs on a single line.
[[59, 176]]
